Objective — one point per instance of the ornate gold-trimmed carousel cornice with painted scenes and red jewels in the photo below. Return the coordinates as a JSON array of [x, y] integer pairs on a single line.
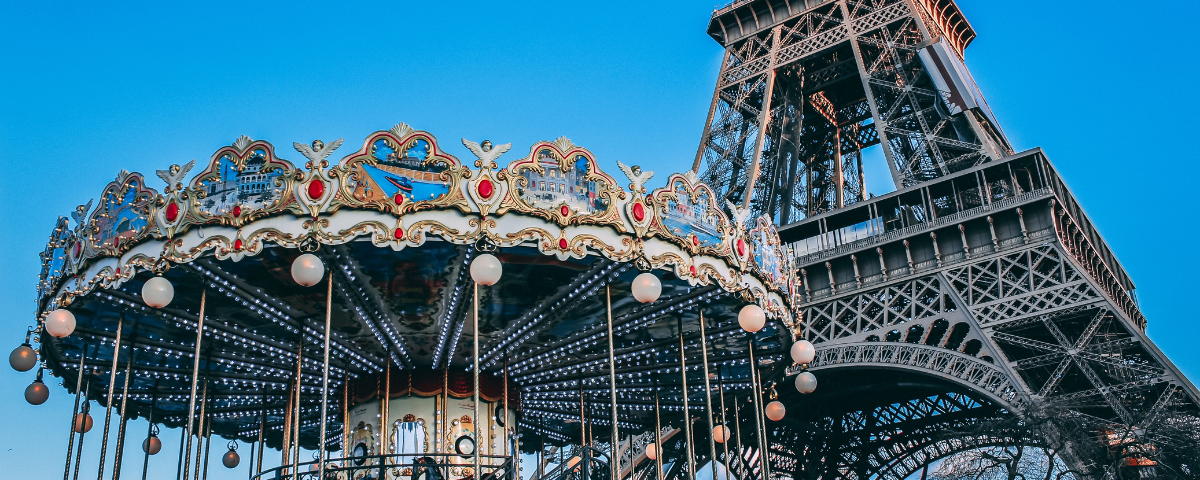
[[369, 196]]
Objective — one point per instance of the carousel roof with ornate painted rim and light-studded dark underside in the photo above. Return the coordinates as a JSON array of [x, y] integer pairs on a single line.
[[398, 224]]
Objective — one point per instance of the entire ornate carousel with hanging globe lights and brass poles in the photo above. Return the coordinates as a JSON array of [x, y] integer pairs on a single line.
[[401, 314]]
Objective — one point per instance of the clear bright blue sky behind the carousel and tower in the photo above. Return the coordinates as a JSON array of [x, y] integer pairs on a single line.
[[1105, 87]]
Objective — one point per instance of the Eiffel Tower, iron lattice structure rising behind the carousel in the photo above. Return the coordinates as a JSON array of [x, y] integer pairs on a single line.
[[955, 313]]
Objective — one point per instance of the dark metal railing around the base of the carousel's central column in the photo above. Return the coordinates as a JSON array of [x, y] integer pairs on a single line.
[[399, 467]]
